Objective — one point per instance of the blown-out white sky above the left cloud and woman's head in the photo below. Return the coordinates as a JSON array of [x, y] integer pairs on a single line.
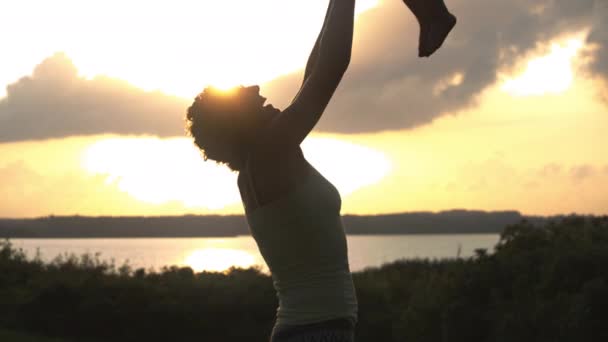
[[198, 37]]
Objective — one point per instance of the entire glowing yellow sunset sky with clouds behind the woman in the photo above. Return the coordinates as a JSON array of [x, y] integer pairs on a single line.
[[510, 114]]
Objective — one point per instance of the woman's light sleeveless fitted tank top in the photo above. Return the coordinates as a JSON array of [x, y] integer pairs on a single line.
[[302, 240]]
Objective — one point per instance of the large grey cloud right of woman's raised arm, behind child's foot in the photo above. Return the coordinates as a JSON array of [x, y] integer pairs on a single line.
[[389, 88]]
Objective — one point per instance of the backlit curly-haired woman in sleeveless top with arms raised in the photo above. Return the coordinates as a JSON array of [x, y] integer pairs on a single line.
[[292, 210]]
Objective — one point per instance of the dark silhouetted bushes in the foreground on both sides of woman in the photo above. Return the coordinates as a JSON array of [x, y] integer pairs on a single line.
[[542, 283]]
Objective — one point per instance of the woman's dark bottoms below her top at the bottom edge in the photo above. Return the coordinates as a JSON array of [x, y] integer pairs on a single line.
[[339, 330]]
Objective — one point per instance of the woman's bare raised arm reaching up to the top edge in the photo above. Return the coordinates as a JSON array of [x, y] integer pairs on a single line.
[[290, 128]]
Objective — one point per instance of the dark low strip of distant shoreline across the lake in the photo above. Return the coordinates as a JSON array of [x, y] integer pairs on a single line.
[[214, 226]]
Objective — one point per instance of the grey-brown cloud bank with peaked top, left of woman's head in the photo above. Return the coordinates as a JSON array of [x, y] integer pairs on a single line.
[[55, 102]]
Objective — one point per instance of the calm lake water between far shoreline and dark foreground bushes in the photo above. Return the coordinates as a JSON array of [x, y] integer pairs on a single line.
[[219, 254]]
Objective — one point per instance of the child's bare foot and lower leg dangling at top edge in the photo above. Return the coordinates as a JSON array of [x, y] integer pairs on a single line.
[[435, 21]]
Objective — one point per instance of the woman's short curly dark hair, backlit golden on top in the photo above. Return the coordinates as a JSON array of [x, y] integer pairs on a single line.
[[221, 123]]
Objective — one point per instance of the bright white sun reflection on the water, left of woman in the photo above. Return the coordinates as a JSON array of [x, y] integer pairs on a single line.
[[218, 259]]
